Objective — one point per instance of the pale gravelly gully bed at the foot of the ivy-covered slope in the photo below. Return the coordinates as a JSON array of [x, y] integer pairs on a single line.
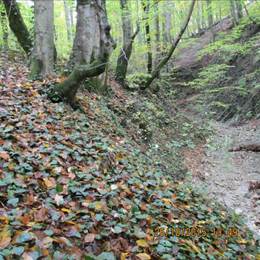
[[228, 176]]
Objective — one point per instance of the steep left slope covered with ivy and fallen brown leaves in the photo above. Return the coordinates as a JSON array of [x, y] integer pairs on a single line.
[[86, 183]]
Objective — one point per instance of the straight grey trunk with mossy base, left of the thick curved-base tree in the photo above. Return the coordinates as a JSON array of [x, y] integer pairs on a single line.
[[43, 53]]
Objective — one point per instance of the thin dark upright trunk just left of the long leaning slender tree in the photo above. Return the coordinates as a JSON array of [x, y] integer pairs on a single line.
[[146, 8]]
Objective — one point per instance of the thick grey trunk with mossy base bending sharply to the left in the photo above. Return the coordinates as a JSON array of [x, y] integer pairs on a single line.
[[95, 45]]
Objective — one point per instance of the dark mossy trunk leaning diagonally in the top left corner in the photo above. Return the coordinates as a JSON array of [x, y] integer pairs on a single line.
[[18, 26]]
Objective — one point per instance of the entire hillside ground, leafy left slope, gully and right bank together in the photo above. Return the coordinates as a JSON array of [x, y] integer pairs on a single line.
[[136, 174]]
